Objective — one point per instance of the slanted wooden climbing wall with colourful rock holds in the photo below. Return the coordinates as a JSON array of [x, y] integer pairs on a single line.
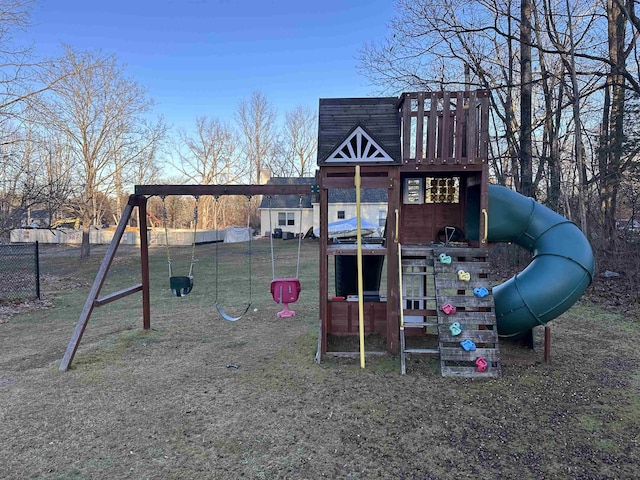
[[467, 332]]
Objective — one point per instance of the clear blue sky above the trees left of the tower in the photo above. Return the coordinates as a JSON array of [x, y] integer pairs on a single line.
[[202, 57]]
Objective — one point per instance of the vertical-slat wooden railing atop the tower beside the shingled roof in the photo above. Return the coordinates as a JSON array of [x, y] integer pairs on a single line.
[[444, 127]]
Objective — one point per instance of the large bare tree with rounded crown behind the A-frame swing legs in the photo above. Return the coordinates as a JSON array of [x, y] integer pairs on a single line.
[[90, 106]]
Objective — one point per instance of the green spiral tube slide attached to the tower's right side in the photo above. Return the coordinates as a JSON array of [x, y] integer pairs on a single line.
[[561, 268]]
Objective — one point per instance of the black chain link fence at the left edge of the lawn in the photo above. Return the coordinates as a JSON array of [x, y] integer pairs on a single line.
[[19, 271]]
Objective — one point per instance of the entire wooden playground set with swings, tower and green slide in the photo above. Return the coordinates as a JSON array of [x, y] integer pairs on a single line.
[[429, 152]]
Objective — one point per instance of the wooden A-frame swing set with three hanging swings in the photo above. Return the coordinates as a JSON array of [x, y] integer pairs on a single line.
[[283, 290]]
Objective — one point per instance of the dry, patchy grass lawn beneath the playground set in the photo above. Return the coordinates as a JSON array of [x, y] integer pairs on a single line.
[[169, 403]]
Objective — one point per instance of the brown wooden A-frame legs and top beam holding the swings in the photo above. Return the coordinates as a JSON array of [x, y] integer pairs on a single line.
[[139, 200]]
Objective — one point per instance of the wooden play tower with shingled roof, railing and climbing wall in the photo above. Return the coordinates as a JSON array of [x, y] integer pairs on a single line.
[[428, 150]]
